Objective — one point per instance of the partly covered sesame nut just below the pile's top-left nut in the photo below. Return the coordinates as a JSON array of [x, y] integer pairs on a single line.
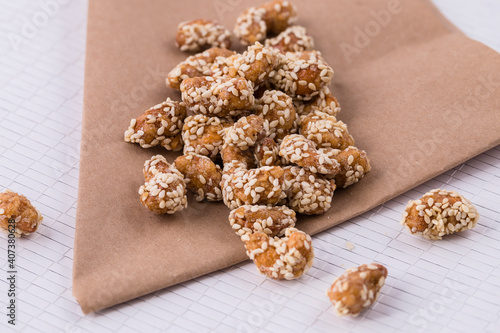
[[196, 65]]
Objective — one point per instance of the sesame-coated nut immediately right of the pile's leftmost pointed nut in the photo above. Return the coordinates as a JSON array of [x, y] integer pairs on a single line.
[[203, 135]]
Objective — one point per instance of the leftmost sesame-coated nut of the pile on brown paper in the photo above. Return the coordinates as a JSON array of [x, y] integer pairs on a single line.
[[160, 125]]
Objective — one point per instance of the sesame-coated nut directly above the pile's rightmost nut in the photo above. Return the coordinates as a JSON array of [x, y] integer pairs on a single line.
[[325, 131]]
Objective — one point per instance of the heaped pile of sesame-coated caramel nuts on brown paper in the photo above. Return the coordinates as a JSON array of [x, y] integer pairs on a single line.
[[258, 130]]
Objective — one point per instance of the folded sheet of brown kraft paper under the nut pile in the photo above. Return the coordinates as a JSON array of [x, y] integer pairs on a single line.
[[417, 95]]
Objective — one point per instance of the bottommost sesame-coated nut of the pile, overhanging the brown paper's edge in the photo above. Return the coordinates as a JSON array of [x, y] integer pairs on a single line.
[[280, 258]]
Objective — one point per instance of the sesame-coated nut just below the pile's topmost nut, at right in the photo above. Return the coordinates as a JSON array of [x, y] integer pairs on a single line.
[[293, 39]]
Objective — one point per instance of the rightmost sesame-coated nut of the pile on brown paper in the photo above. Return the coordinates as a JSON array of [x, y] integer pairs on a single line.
[[354, 164]]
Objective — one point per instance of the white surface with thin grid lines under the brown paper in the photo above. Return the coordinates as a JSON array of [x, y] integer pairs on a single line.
[[448, 286]]
